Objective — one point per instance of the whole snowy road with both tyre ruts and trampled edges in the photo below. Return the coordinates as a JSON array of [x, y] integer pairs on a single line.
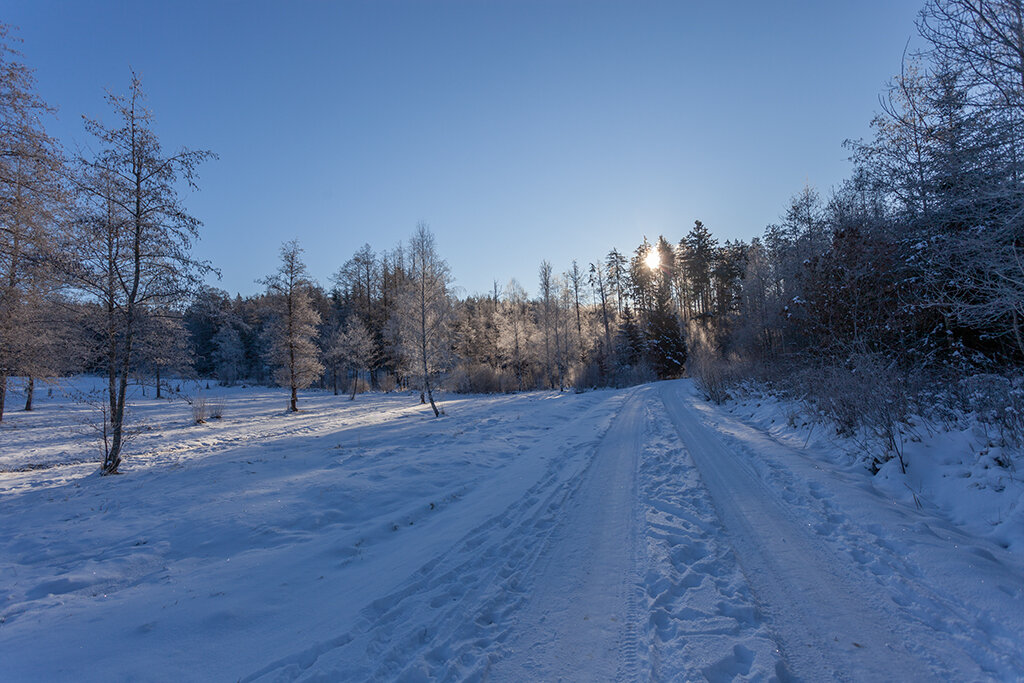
[[671, 549]]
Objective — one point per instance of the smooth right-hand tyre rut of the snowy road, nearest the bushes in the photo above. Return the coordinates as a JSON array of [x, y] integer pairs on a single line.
[[831, 616]]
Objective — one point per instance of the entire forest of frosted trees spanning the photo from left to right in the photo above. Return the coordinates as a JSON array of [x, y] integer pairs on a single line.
[[900, 293]]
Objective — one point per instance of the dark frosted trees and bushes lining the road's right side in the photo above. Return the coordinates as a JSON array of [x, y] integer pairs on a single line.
[[903, 294]]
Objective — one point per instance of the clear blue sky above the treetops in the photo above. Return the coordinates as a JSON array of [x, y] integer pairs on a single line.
[[520, 131]]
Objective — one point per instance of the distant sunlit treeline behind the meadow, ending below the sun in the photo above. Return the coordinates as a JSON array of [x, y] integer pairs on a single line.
[[615, 323]]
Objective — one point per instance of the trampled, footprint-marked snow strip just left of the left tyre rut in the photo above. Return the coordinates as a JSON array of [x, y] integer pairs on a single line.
[[453, 620]]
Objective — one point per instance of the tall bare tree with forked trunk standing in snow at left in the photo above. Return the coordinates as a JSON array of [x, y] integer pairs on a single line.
[[133, 243]]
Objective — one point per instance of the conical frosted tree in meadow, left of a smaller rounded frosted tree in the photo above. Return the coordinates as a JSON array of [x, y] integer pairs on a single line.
[[292, 334]]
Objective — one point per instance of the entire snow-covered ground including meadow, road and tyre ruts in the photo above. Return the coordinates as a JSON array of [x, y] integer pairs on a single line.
[[627, 535]]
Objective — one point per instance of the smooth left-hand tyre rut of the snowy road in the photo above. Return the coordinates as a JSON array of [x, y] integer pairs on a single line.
[[580, 621]]
